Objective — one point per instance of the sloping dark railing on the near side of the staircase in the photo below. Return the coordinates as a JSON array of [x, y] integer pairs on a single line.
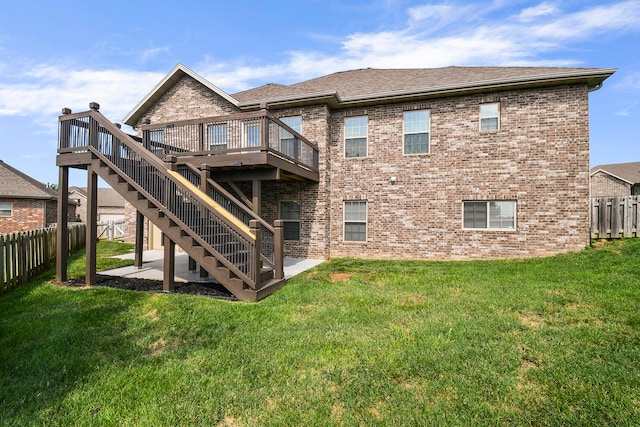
[[92, 132]]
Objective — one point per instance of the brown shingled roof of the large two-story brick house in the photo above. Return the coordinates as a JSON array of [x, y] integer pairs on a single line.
[[371, 86]]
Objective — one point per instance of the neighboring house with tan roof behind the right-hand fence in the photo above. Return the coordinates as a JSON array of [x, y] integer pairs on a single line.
[[618, 179]]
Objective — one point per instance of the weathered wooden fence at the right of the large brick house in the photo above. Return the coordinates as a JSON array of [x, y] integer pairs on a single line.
[[615, 217]]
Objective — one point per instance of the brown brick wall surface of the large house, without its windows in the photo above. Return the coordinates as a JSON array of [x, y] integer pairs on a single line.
[[539, 158]]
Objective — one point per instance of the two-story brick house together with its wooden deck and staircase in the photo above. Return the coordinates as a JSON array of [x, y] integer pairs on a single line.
[[446, 163]]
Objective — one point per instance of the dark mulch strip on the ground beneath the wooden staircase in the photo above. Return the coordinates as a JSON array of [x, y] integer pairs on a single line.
[[212, 290]]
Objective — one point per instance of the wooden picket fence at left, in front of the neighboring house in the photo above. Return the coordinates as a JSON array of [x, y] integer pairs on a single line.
[[25, 254]]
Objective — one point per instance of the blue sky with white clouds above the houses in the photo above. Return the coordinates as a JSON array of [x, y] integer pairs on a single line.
[[67, 54]]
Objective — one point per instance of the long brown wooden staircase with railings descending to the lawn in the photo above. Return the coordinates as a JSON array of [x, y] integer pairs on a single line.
[[223, 245]]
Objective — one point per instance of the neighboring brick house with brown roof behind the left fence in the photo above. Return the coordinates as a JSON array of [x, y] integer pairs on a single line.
[[26, 204]]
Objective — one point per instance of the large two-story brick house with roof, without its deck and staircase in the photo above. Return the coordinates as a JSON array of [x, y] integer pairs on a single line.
[[448, 163]]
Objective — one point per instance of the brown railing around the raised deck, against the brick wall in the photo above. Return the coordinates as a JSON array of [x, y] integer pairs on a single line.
[[238, 133]]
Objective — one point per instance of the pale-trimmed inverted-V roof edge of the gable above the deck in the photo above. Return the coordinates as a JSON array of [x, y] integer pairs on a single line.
[[173, 77]]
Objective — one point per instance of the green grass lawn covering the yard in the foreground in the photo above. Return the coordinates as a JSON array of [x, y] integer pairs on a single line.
[[552, 341]]
